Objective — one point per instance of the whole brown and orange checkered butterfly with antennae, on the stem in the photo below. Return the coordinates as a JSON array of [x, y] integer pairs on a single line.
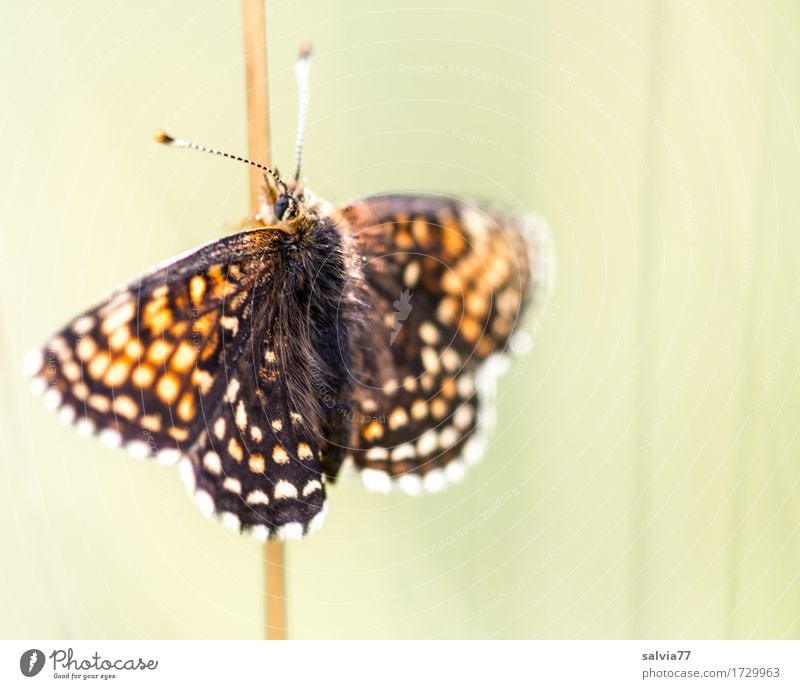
[[367, 333]]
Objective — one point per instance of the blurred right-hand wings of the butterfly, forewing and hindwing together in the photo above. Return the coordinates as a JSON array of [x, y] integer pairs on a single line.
[[447, 284]]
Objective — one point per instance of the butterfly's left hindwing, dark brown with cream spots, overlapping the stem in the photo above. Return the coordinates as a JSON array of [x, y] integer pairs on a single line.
[[258, 463]]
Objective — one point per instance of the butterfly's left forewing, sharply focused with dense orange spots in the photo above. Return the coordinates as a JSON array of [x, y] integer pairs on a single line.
[[135, 368]]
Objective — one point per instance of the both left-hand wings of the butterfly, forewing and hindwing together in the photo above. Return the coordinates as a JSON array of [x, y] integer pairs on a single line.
[[179, 364]]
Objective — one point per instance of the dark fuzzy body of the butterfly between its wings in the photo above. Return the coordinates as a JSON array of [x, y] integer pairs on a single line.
[[313, 317]]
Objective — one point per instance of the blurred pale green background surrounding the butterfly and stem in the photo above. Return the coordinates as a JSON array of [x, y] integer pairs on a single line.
[[645, 467]]
